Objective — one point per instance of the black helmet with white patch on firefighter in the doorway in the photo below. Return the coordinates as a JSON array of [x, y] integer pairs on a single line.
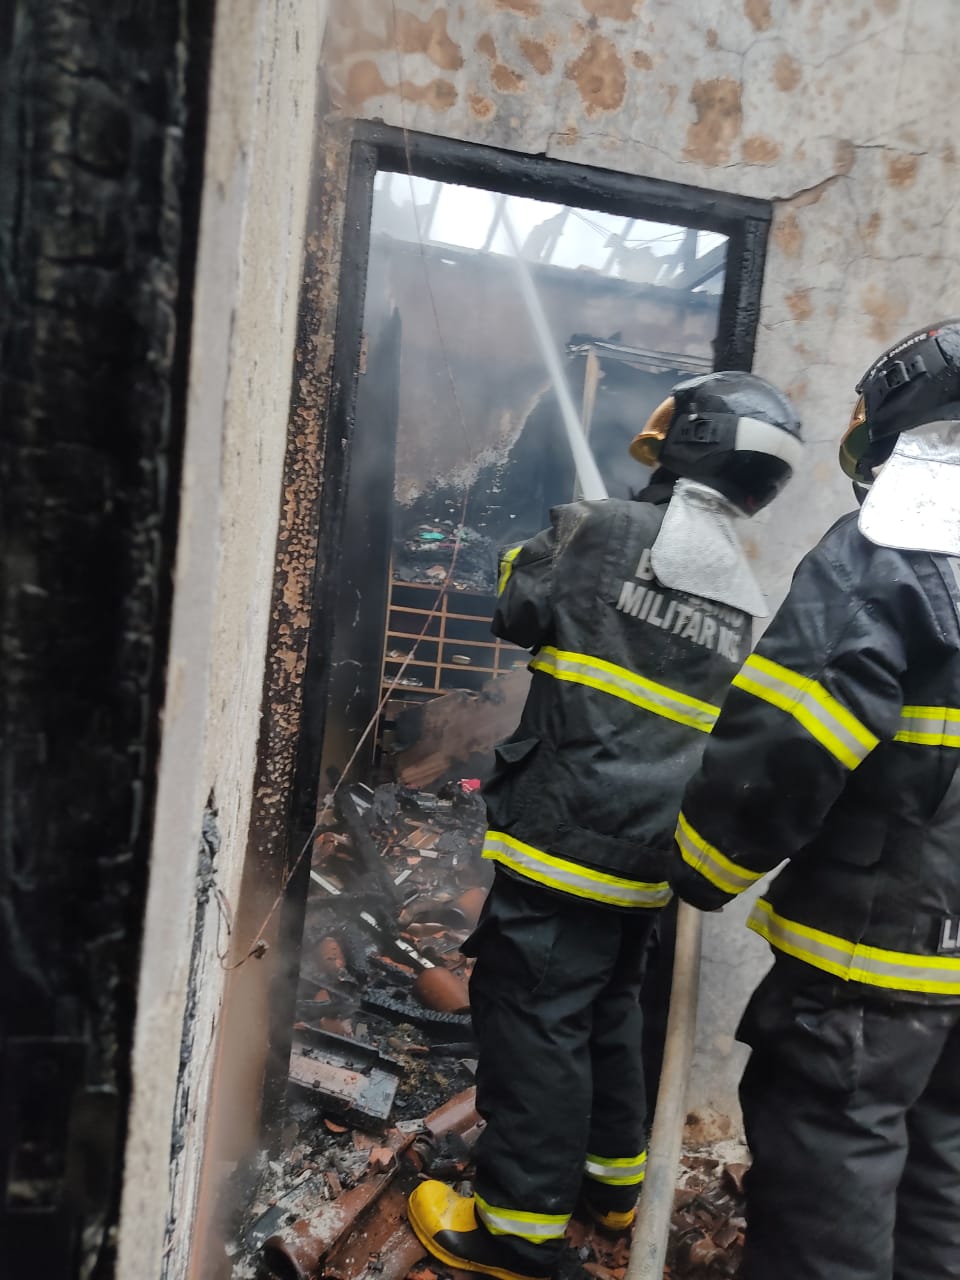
[[730, 431]]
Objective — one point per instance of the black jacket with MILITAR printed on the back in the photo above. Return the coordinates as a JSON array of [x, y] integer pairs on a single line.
[[627, 684]]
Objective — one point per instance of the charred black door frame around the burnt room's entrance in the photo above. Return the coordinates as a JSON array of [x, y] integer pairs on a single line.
[[377, 148]]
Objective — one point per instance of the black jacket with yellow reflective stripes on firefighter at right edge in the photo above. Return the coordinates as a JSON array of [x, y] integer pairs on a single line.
[[838, 749]]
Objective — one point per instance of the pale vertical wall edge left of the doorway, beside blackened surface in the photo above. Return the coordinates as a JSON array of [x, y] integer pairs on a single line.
[[260, 145]]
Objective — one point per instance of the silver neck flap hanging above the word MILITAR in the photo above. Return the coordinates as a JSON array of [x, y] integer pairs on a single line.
[[698, 550]]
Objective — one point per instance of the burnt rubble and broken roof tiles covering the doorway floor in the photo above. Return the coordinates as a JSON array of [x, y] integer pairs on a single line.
[[383, 1062]]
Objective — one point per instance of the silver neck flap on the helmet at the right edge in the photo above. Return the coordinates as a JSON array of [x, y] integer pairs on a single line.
[[915, 502]]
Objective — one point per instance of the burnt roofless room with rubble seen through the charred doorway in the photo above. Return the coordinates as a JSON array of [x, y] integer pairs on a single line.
[[456, 452]]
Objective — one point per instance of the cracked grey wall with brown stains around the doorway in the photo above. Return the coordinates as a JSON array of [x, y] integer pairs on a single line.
[[838, 113]]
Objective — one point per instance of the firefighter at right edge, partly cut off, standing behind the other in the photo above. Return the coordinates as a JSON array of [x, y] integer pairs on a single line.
[[838, 748]]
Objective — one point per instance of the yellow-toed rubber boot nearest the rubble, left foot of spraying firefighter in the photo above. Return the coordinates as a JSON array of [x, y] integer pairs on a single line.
[[447, 1227]]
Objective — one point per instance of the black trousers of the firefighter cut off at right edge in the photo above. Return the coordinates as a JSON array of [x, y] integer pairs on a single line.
[[852, 1109]]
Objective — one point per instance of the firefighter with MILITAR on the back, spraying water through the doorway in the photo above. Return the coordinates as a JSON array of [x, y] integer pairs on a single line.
[[639, 616]]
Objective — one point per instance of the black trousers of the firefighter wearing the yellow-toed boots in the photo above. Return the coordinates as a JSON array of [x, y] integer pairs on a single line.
[[556, 1005]]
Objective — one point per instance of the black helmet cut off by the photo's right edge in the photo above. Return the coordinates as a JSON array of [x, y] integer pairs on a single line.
[[916, 382]]
